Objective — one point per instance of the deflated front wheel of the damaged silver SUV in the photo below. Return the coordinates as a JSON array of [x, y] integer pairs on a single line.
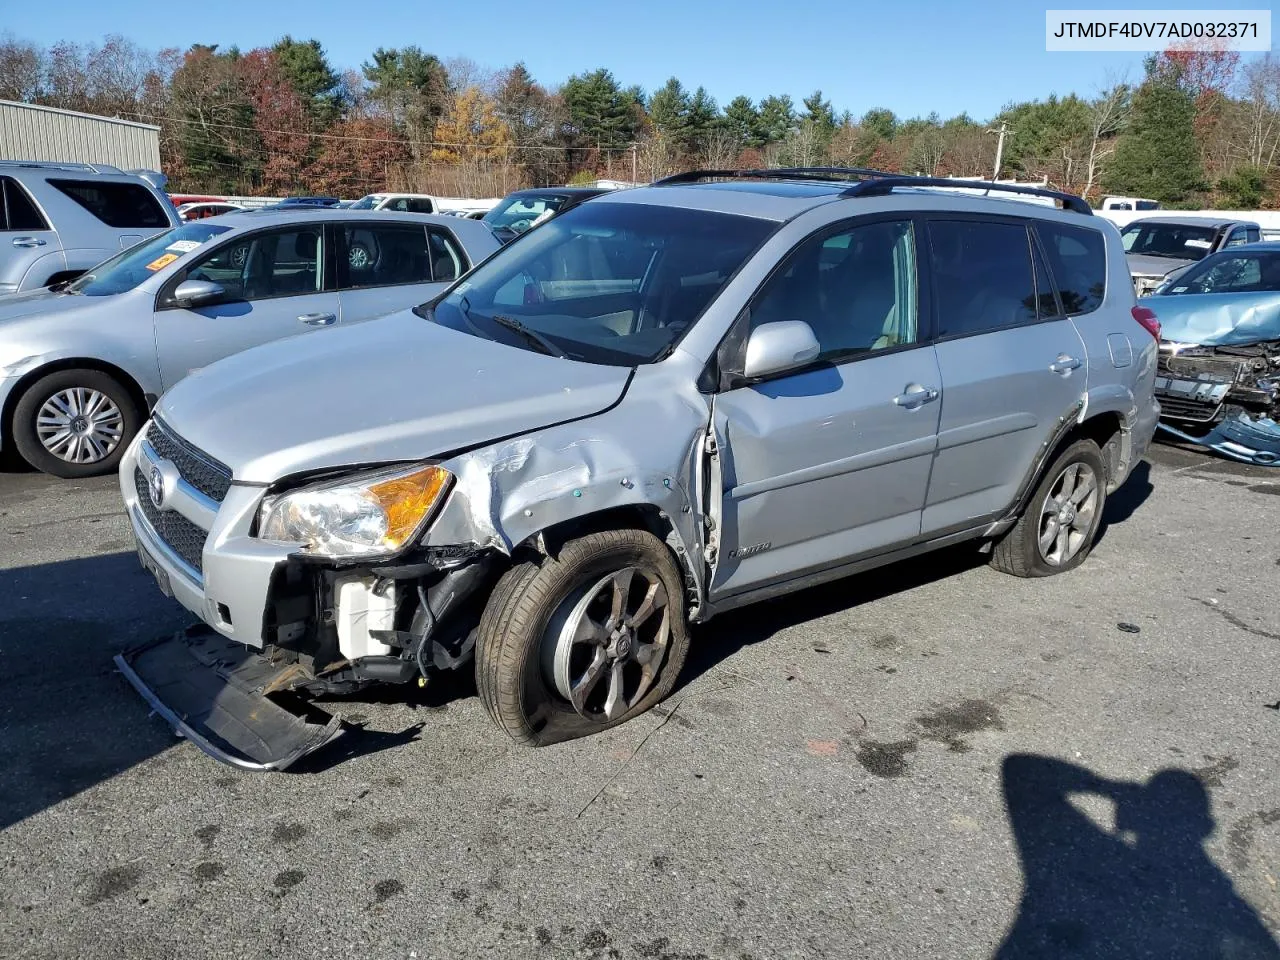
[[578, 644]]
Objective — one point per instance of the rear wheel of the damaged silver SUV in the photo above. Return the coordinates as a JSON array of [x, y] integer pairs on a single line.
[[1060, 524]]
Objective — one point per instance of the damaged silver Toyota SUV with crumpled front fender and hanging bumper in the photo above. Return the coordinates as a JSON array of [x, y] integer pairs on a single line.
[[666, 404]]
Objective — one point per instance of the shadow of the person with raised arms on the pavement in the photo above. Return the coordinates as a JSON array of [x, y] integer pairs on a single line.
[[1131, 880]]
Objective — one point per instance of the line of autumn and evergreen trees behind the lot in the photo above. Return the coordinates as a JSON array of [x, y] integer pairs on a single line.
[[1197, 129]]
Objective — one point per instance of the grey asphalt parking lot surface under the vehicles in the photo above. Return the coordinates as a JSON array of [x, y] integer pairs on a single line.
[[929, 761]]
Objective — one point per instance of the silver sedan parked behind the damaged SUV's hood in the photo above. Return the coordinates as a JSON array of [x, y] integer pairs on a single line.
[[83, 364]]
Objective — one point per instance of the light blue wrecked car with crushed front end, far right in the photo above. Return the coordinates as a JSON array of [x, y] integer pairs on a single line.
[[1219, 374]]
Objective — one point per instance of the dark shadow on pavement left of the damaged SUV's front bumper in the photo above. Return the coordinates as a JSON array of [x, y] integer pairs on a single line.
[[68, 721]]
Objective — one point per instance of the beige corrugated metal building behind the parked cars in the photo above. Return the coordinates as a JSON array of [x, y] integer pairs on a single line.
[[31, 132]]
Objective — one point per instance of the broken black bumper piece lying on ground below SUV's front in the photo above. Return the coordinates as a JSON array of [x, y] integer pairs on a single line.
[[226, 700]]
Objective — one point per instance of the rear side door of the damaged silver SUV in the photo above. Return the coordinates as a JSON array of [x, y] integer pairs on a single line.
[[1012, 367]]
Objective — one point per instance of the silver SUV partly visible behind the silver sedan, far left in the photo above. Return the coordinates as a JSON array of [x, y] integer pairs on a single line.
[[57, 221]]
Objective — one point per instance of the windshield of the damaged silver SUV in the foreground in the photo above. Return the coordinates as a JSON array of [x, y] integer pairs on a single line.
[[607, 284]]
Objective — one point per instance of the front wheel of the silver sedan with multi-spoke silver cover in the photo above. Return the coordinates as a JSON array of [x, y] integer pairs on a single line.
[[75, 423]]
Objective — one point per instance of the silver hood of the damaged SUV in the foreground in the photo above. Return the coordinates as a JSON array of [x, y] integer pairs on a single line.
[[392, 390]]
